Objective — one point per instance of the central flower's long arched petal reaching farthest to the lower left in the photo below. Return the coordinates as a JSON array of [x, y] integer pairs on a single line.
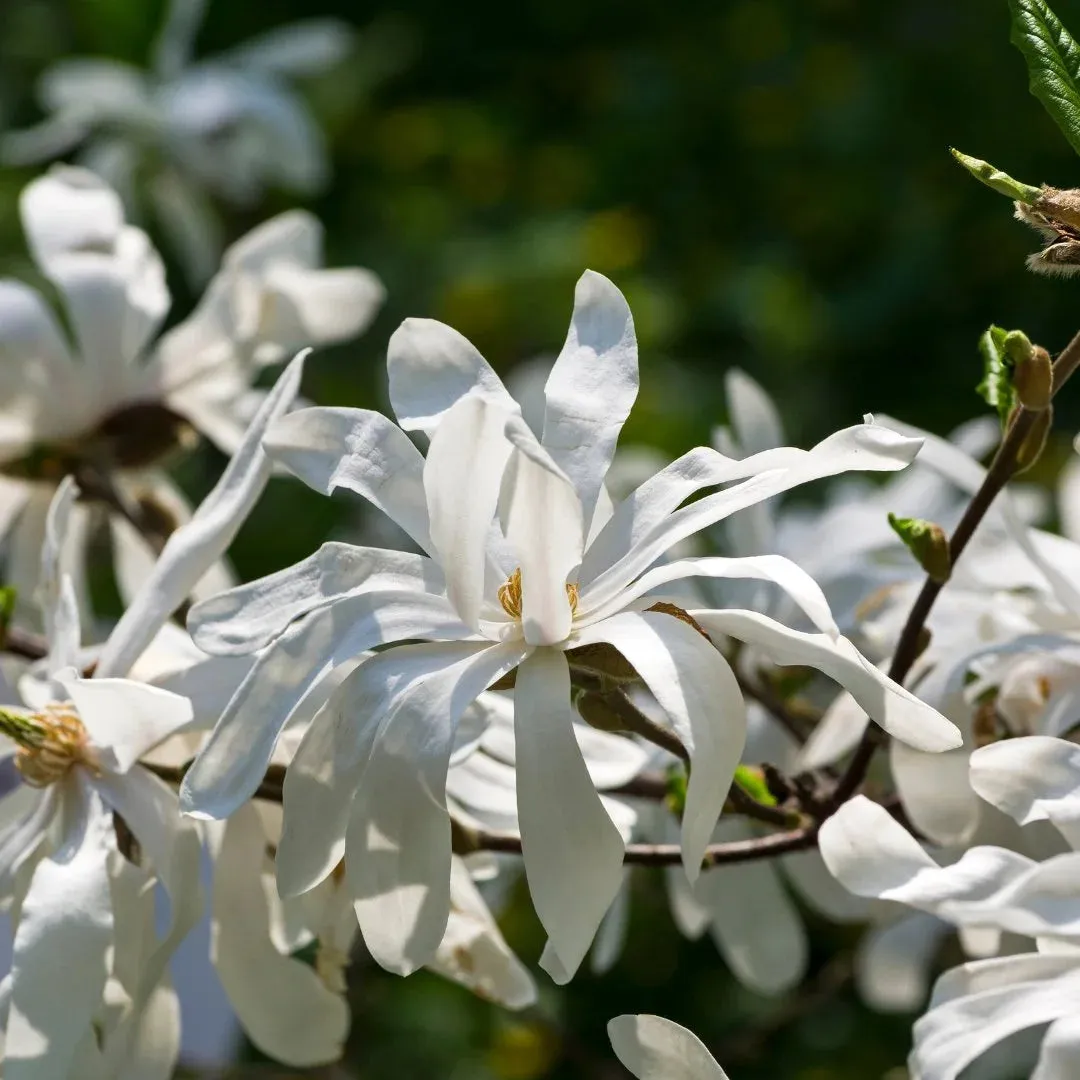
[[233, 763]]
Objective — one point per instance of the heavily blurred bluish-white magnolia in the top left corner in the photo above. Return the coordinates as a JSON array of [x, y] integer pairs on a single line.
[[228, 127]]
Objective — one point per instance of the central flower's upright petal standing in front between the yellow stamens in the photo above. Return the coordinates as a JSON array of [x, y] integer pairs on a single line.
[[543, 521]]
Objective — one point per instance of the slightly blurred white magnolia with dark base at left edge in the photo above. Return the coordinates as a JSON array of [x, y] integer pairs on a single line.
[[110, 399]]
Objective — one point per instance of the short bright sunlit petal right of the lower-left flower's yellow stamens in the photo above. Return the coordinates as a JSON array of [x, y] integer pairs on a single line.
[[128, 719]]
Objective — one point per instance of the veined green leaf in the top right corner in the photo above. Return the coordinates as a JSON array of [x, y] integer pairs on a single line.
[[1054, 63]]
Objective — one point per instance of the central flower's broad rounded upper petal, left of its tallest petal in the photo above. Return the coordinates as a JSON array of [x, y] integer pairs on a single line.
[[431, 368]]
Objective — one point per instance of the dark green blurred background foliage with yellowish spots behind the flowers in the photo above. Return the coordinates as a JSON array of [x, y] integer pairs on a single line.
[[769, 183]]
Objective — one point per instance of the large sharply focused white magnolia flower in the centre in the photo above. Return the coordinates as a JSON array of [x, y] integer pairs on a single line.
[[525, 569]]
